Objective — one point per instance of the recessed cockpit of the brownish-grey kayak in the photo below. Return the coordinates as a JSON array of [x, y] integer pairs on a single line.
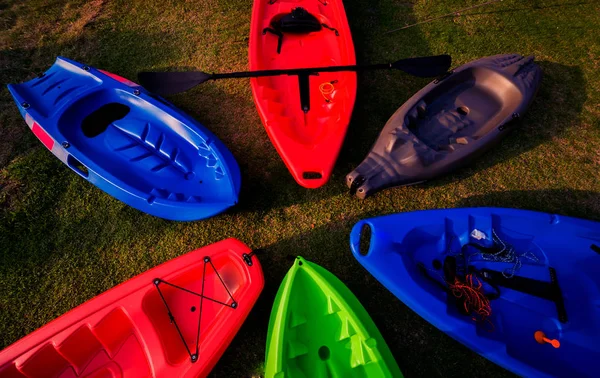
[[460, 110]]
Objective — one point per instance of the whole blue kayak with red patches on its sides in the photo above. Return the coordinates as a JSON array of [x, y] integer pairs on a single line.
[[128, 142]]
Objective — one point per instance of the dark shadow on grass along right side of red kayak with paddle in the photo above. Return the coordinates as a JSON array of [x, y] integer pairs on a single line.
[[380, 93]]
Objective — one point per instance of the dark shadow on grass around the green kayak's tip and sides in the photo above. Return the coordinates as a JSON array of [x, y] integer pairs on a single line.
[[419, 348]]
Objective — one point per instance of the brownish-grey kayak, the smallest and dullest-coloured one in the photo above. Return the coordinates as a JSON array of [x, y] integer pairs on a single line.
[[449, 123]]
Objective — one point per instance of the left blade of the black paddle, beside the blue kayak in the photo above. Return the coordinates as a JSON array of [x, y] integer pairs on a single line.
[[168, 83]]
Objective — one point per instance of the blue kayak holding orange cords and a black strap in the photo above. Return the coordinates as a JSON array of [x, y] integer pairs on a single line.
[[521, 288]]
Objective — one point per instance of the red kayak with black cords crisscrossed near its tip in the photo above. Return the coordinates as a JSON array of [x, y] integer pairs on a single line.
[[175, 320]]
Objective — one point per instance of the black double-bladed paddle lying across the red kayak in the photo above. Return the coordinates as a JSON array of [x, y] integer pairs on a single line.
[[168, 83]]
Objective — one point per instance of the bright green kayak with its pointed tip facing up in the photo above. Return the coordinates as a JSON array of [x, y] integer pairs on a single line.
[[319, 329]]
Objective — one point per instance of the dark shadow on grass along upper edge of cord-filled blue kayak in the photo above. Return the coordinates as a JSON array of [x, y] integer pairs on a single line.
[[570, 202]]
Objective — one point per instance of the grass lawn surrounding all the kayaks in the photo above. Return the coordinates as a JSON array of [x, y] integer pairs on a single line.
[[63, 241]]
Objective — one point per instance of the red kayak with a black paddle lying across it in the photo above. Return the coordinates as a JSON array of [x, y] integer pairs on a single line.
[[306, 117]]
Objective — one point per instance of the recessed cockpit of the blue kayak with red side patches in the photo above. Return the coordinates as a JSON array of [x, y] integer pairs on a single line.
[[118, 130]]
